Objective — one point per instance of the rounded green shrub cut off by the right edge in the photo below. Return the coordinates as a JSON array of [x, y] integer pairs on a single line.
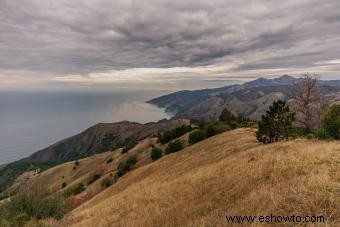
[[331, 122]]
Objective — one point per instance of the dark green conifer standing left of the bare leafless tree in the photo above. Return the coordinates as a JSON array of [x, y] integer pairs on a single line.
[[276, 123]]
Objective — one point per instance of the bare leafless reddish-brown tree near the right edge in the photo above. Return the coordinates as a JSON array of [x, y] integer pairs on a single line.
[[308, 102]]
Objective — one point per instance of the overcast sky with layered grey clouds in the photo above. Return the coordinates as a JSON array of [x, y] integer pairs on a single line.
[[158, 44]]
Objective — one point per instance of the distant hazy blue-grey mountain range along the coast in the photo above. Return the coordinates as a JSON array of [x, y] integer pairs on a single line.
[[250, 99]]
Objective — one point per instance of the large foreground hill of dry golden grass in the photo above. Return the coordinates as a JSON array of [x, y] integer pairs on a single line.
[[229, 174]]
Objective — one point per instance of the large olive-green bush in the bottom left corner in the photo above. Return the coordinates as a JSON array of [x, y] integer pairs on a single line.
[[32, 203]]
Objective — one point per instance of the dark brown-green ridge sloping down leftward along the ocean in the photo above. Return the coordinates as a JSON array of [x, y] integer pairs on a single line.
[[97, 139]]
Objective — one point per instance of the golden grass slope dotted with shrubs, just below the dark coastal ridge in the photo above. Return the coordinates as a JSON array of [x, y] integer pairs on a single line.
[[87, 168]]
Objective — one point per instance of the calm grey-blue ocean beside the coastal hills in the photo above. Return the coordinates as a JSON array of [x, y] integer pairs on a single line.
[[30, 121]]
